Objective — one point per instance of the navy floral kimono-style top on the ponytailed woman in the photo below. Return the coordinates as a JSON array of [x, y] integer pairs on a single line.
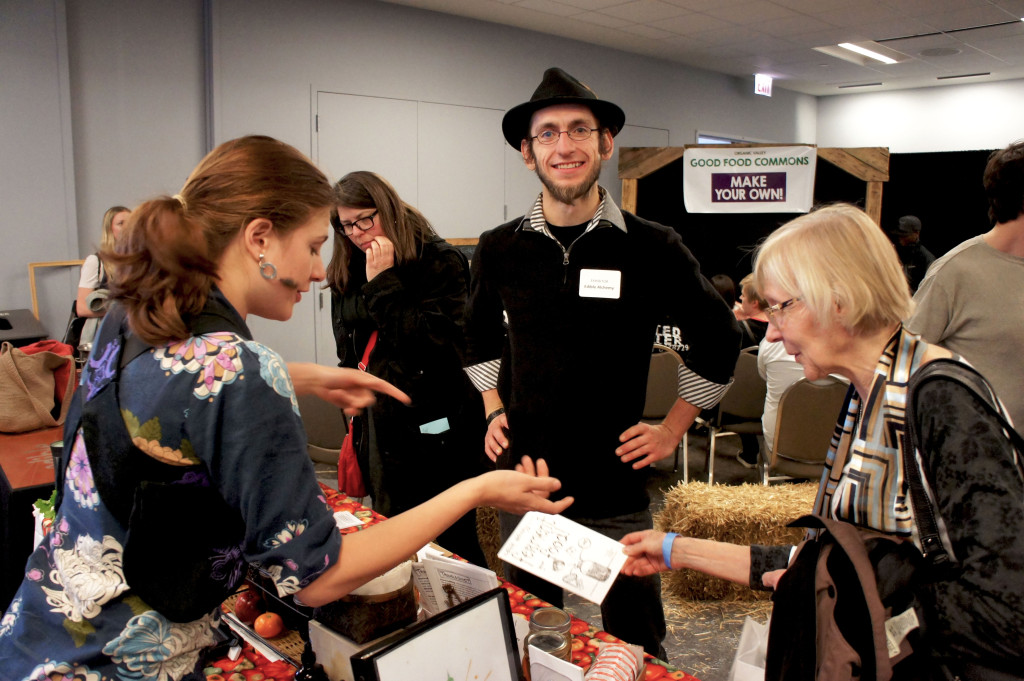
[[218, 403]]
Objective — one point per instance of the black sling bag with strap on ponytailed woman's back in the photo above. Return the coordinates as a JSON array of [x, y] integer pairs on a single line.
[[184, 541]]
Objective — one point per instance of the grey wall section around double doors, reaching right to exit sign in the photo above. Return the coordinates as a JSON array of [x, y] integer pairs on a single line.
[[269, 57]]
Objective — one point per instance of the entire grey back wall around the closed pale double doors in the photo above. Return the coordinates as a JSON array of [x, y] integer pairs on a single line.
[[138, 105]]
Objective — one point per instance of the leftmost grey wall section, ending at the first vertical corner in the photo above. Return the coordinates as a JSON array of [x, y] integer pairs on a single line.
[[36, 168]]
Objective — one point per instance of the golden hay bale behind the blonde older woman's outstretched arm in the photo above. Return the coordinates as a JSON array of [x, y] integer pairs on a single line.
[[741, 515]]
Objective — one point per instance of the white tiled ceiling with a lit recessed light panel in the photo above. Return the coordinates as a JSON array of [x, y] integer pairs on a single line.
[[737, 36]]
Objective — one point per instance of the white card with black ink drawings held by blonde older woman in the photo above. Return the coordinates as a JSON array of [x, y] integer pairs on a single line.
[[566, 554]]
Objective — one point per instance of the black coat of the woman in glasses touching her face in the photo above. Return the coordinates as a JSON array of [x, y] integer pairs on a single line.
[[418, 310]]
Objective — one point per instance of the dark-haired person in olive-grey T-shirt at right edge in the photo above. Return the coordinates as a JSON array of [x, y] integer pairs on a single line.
[[972, 302]]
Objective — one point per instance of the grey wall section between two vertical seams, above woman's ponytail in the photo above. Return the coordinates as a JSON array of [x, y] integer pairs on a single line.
[[138, 103]]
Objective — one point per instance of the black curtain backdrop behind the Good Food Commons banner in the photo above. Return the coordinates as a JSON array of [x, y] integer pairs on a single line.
[[943, 189]]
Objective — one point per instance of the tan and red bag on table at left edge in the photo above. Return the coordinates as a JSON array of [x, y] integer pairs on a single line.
[[28, 387]]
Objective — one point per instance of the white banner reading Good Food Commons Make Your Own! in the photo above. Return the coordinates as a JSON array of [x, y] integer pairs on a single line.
[[749, 180]]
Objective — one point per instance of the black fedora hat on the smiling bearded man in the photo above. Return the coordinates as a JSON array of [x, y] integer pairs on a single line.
[[560, 89]]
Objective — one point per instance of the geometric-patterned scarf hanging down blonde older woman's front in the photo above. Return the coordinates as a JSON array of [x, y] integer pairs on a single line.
[[863, 483]]
